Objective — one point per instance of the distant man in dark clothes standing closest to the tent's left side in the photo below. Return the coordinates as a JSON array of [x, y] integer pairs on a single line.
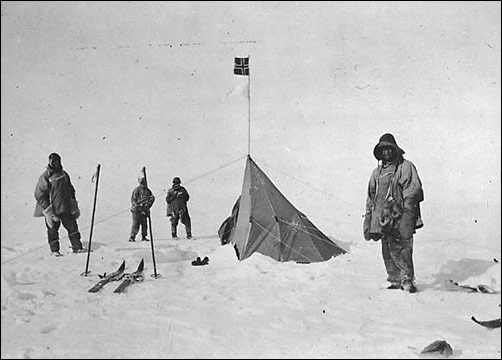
[[177, 198]]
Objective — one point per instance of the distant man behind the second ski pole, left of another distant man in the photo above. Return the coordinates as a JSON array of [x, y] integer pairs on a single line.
[[142, 200]]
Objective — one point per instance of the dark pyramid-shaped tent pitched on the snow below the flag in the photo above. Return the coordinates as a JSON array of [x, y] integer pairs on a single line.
[[264, 221]]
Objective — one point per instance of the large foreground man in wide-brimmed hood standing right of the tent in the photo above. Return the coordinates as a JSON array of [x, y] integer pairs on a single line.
[[393, 211]]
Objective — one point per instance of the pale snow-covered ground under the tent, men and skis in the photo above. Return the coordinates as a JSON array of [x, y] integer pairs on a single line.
[[258, 308]]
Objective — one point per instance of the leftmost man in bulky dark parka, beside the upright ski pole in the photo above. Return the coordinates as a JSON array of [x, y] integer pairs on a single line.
[[56, 201]]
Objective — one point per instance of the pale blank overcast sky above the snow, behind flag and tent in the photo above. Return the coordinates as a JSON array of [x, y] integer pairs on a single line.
[[152, 84]]
